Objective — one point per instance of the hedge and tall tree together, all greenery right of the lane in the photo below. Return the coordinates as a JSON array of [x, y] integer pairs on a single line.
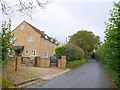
[[109, 53]]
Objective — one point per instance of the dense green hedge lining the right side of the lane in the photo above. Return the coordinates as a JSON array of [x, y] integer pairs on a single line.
[[110, 61]]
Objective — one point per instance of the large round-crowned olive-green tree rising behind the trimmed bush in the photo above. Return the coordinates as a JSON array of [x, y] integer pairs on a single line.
[[85, 40]]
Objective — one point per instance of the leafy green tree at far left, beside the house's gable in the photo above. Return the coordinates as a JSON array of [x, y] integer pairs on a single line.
[[5, 43]]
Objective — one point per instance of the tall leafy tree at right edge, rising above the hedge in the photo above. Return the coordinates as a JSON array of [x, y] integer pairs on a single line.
[[113, 36]]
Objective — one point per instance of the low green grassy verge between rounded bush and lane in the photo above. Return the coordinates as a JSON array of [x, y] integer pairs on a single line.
[[75, 63]]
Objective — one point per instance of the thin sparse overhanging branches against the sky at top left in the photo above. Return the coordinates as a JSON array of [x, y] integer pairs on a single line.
[[26, 7]]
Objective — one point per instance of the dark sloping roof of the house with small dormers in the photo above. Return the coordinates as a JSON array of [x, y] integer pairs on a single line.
[[45, 36]]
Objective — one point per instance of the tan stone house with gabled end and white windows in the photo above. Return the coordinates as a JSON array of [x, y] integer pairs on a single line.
[[31, 42]]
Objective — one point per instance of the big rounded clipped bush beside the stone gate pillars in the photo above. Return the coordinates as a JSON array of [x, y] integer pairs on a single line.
[[71, 51]]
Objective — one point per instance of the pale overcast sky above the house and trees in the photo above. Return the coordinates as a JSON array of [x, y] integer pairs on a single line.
[[63, 18]]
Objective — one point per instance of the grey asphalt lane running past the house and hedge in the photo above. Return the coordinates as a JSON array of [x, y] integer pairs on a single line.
[[89, 75]]
